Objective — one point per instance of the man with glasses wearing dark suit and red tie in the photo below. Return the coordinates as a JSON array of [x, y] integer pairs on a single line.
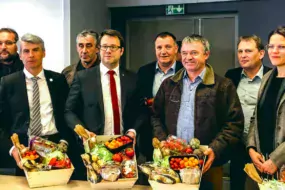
[[103, 99]]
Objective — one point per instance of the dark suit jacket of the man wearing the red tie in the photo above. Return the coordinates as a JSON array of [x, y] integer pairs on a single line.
[[85, 104]]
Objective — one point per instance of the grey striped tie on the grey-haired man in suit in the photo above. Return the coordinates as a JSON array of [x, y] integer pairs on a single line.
[[36, 126]]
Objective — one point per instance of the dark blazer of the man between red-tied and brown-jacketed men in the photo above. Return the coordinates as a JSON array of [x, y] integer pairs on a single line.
[[145, 84]]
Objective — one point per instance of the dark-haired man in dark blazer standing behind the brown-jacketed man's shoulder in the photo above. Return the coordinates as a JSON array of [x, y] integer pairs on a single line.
[[150, 77]]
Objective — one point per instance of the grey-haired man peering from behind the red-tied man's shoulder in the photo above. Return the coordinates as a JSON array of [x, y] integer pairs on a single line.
[[87, 48]]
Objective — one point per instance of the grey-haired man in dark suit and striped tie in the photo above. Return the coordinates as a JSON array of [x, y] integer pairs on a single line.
[[30, 102]]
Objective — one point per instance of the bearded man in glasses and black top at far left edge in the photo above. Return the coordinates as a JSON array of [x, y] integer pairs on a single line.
[[9, 58]]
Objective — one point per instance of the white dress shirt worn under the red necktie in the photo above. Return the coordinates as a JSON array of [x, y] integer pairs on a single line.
[[107, 100]]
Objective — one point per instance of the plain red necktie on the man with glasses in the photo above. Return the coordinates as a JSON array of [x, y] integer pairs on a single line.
[[115, 105]]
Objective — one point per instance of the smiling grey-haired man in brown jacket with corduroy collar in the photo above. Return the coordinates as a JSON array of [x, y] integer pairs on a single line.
[[196, 102]]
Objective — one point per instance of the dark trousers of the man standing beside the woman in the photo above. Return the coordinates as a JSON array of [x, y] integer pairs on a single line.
[[238, 160]]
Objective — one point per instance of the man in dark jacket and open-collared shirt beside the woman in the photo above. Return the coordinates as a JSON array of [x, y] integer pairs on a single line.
[[247, 80]]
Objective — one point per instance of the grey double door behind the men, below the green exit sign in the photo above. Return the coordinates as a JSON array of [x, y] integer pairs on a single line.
[[221, 31]]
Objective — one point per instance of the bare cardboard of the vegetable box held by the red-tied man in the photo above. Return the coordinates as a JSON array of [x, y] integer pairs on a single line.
[[122, 183]]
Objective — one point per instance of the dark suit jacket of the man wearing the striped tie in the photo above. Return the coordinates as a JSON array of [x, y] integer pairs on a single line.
[[14, 105]]
